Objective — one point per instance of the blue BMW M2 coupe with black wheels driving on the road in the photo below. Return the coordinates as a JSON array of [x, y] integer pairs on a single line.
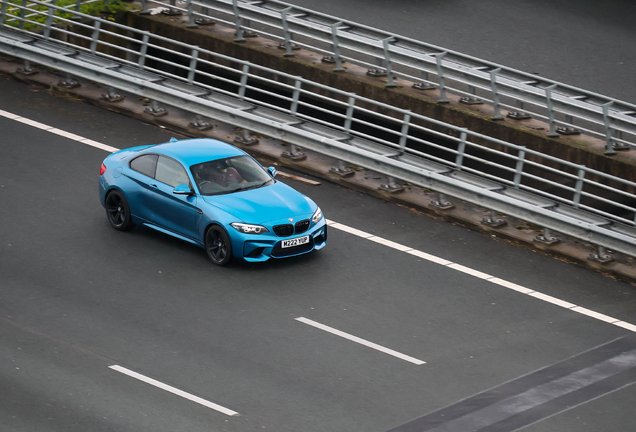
[[212, 194]]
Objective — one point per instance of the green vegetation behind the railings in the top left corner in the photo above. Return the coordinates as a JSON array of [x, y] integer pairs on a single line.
[[36, 14]]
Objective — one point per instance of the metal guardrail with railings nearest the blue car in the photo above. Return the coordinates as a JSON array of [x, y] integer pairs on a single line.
[[552, 193]]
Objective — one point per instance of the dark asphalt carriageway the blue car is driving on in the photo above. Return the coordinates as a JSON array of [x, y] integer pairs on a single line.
[[109, 331]]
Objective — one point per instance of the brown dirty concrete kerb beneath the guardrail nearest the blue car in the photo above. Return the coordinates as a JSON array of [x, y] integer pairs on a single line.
[[269, 151]]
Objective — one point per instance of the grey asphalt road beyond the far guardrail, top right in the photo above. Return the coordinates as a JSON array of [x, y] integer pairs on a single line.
[[584, 43]]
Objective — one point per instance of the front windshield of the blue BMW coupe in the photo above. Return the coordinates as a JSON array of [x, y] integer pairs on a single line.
[[224, 176]]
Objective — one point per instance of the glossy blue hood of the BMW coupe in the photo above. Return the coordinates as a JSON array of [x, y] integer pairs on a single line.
[[265, 204]]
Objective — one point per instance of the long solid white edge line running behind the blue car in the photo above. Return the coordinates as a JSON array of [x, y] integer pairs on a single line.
[[420, 254]]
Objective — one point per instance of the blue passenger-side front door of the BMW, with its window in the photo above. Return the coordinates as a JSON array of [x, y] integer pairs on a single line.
[[174, 212]]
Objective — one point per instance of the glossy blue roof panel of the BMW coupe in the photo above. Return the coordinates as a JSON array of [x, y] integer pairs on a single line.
[[194, 151]]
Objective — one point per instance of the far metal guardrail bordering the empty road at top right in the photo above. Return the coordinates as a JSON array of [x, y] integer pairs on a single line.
[[567, 109]]
